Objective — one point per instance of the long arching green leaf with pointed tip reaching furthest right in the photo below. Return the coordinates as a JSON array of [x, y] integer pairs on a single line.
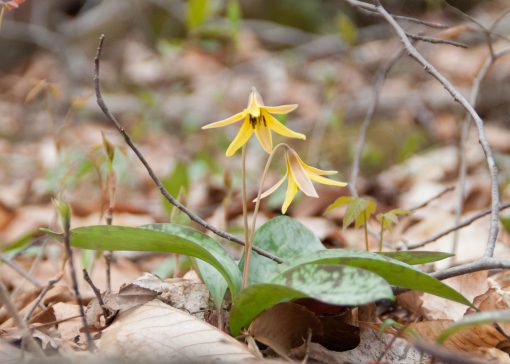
[[393, 271]]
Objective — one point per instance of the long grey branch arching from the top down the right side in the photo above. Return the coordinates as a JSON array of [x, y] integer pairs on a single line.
[[457, 96]]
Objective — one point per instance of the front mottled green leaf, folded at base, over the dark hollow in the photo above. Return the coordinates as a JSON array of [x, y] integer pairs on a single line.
[[333, 284]]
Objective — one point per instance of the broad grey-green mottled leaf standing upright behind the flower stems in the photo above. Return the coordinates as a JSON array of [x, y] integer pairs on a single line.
[[284, 237]]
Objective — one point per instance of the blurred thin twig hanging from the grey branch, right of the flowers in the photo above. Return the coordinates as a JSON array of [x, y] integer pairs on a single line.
[[379, 83]]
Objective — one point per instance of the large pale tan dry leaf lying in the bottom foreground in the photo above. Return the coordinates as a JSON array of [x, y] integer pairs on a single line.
[[156, 331]]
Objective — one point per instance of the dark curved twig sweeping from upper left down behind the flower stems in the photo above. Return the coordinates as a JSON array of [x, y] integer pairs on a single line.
[[155, 179]]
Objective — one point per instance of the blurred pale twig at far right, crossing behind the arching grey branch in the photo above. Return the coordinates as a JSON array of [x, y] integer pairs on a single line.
[[475, 89]]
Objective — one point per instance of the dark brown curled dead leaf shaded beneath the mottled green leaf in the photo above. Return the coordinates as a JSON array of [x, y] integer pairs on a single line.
[[285, 326]]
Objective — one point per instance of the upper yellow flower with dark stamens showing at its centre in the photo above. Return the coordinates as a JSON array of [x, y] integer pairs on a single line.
[[257, 118]]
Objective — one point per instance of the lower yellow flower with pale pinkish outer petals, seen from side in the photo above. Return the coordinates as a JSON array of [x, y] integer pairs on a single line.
[[300, 175]]
